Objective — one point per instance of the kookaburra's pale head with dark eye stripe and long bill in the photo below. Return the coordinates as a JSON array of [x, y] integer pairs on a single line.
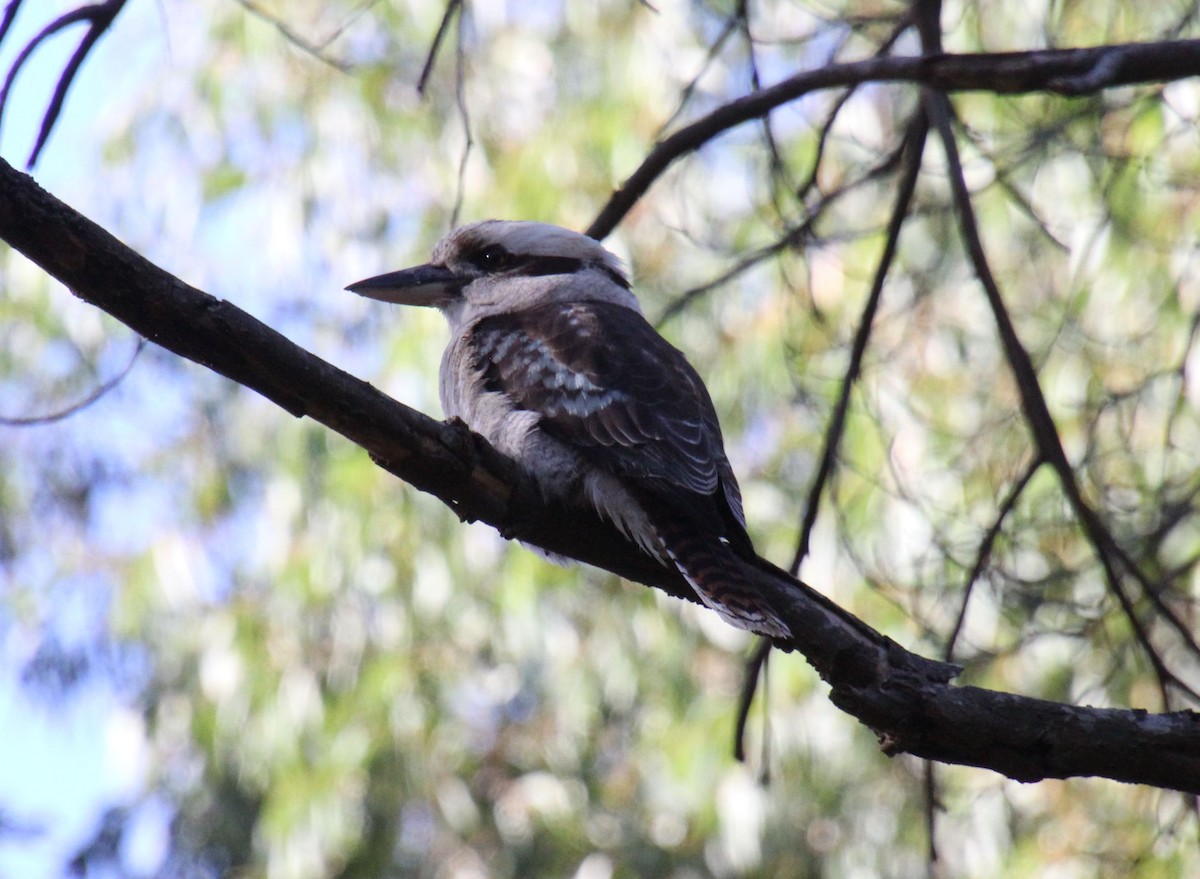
[[497, 266]]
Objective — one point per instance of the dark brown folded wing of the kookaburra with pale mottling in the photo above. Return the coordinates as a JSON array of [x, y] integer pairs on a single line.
[[604, 381]]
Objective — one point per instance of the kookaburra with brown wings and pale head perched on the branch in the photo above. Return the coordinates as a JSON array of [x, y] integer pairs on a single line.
[[551, 361]]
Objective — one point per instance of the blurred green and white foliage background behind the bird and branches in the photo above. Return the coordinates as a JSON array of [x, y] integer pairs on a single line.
[[333, 677]]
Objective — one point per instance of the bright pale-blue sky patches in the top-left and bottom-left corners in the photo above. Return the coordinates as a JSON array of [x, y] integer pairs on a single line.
[[65, 761]]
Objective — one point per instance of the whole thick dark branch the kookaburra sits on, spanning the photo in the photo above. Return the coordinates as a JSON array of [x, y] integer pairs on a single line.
[[904, 698]]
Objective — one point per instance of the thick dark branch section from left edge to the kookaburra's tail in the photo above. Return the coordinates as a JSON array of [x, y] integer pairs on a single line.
[[442, 459]]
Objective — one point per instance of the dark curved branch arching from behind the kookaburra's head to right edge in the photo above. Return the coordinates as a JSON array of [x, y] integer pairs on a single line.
[[1070, 73]]
